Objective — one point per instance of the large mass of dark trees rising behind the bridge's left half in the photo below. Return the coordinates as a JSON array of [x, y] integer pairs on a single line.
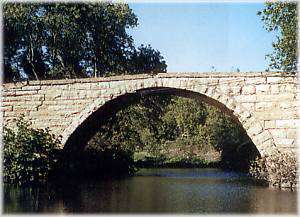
[[68, 40]]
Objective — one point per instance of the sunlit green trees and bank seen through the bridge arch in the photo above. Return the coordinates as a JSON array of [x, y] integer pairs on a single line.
[[168, 127]]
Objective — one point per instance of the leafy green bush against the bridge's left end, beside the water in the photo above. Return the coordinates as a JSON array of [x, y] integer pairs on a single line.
[[28, 154]]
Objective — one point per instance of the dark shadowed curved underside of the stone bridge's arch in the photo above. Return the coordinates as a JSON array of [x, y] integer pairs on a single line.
[[89, 127]]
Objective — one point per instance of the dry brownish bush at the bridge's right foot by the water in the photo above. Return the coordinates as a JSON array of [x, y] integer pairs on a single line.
[[277, 170]]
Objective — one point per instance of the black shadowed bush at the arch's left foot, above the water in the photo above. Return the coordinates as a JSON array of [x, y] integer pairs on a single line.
[[109, 162]]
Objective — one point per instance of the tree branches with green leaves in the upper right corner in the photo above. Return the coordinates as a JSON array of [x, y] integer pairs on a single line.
[[281, 17]]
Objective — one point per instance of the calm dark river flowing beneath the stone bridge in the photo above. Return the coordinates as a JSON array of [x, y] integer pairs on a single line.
[[155, 191]]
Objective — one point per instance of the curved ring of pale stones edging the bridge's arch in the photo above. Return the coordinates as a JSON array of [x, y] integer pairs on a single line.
[[261, 137]]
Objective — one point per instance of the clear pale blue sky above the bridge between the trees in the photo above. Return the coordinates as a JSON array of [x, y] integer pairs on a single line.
[[193, 37]]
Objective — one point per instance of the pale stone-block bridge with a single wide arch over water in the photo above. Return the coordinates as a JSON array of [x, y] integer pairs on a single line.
[[265, 103]]
